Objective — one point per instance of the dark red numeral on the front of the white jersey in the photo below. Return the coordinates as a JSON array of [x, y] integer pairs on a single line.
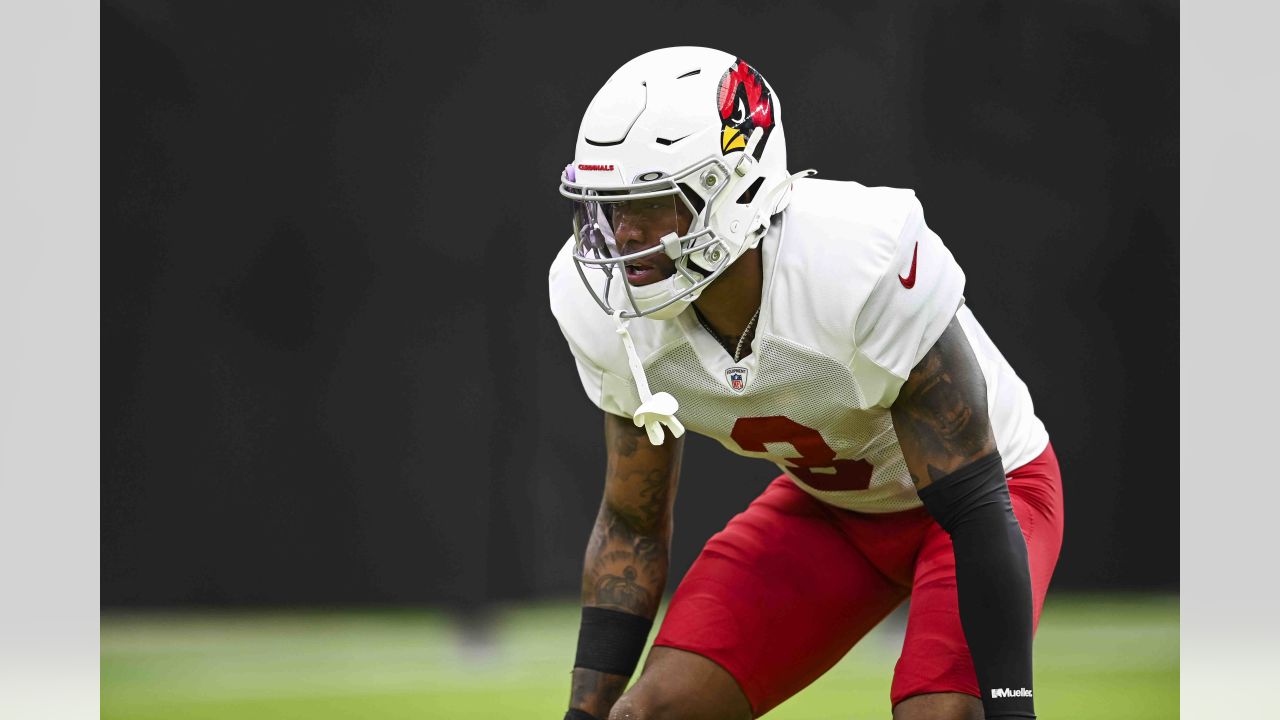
[[817, 464]]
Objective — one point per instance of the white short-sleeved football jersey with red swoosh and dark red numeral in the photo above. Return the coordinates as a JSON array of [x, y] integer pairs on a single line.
[[857, 290]]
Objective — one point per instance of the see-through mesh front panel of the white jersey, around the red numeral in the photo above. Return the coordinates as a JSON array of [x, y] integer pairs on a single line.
[[807, 388]]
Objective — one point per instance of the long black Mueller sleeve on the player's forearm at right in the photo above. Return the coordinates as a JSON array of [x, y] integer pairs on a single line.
[[993, 581]]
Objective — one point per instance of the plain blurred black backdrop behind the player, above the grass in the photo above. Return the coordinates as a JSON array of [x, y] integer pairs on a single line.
[[330, 370]]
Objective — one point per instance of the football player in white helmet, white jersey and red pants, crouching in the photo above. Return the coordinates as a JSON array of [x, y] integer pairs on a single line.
[[820, 326]]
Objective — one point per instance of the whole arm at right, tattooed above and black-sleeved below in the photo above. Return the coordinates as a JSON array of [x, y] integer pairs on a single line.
[[943, 427]]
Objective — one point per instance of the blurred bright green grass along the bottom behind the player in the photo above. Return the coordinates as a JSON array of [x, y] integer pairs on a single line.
[[1096, 658]]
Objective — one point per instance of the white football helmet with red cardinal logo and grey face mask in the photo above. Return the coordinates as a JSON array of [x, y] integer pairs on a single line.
[[692, 125]]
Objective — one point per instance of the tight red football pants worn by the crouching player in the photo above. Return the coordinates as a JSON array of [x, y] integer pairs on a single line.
[[790, 585]]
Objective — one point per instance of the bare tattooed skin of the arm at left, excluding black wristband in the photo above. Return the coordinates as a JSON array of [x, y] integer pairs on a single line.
[[627, 558]]
